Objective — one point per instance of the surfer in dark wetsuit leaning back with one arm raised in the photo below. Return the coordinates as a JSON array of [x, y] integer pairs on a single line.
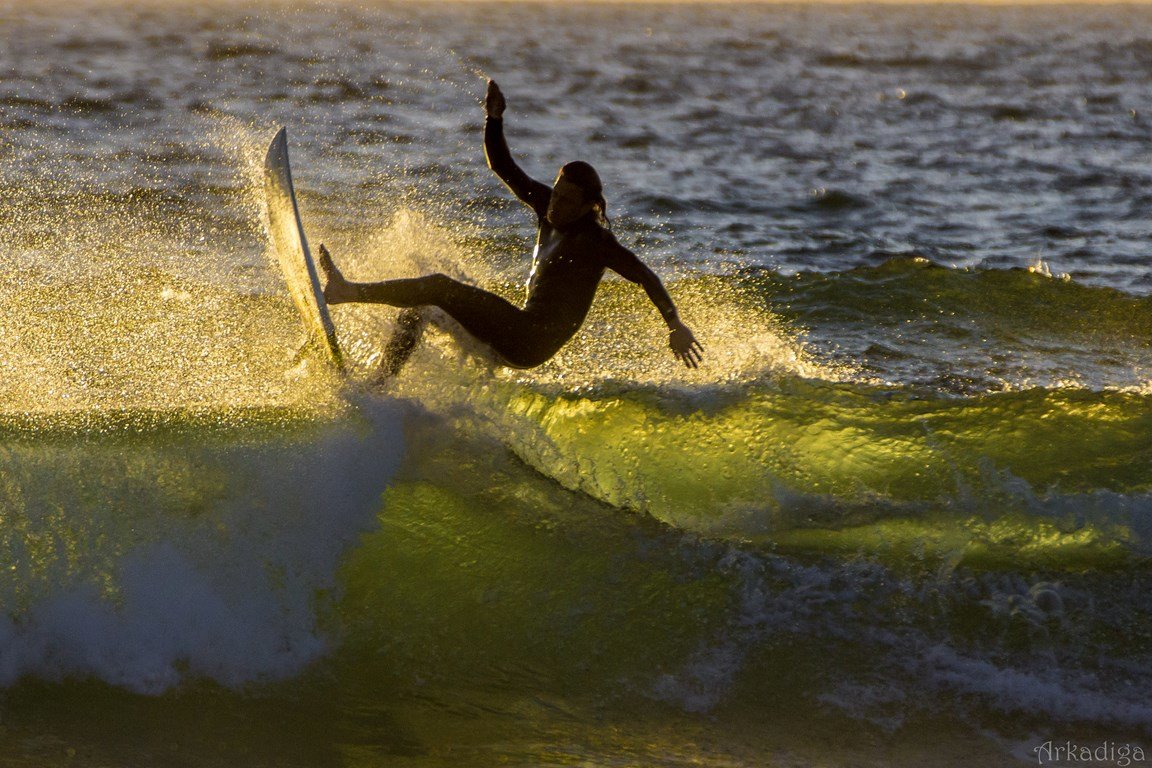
[[574, 248]]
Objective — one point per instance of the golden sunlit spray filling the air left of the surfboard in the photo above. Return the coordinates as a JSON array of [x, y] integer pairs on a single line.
[[107, 306]]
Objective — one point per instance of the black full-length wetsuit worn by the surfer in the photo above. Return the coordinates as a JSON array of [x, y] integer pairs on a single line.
[[567, 268]]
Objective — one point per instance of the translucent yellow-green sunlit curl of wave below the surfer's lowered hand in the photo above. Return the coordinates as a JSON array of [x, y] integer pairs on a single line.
[[1051, 477]]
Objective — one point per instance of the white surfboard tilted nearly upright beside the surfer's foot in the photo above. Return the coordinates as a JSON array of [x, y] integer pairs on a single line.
[[295, 258]]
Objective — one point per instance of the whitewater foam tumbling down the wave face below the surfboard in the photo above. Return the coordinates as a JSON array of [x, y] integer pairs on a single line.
[[233, 592]]
